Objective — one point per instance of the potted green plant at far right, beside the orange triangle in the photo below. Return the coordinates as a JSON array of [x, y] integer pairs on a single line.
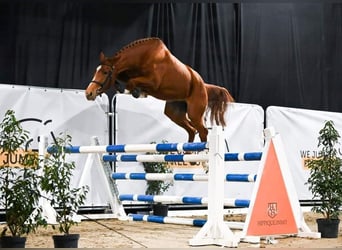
[[325, 181]]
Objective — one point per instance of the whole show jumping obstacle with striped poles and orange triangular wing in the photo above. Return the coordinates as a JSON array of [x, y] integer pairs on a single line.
[[215, 231]]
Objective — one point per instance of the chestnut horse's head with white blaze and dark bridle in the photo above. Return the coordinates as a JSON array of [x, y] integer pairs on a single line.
[[102, 79]]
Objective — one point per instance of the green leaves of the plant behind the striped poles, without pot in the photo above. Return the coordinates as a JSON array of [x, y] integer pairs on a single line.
[[157, 187]]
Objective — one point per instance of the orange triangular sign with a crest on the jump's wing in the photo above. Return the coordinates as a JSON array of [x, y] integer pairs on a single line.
[[272, 212]]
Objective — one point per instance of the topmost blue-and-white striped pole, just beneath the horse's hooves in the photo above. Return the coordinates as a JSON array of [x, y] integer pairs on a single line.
[[129, 148]]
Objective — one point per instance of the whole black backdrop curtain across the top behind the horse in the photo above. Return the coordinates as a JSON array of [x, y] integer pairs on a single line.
[[286, 54]]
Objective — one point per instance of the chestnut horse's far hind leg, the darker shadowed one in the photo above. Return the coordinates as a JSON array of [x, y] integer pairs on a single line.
[[176, 111]]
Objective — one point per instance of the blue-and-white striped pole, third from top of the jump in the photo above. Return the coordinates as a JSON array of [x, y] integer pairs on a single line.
[[180, 177]]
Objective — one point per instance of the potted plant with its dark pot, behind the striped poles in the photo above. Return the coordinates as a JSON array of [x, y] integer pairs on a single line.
[[158, 187]]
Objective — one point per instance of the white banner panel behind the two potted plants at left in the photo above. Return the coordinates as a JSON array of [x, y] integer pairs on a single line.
[[43, 111]]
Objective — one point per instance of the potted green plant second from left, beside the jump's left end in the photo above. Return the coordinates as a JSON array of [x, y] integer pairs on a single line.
[[56, 182]]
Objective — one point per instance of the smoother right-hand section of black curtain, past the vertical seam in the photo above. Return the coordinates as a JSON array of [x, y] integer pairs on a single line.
[[291, 55]]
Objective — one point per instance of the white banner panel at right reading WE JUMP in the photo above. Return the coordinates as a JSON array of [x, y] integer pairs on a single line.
[[299, 129]]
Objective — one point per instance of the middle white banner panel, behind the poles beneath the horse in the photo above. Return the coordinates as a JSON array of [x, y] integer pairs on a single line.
[[142, 120]]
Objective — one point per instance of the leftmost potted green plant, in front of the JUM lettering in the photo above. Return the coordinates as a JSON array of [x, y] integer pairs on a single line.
[[19, 184]]
